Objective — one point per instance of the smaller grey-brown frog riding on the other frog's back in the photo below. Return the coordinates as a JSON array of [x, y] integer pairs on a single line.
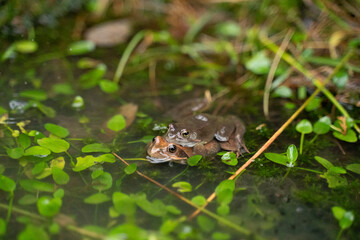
[[199, 129]]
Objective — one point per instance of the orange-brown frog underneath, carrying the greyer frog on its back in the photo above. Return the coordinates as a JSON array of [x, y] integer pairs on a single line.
[[159, 151]]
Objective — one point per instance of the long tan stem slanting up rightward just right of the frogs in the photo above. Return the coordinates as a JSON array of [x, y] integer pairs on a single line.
[[320, 87]]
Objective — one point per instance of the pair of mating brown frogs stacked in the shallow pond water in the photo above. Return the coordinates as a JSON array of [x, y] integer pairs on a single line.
[[202, 134]]
